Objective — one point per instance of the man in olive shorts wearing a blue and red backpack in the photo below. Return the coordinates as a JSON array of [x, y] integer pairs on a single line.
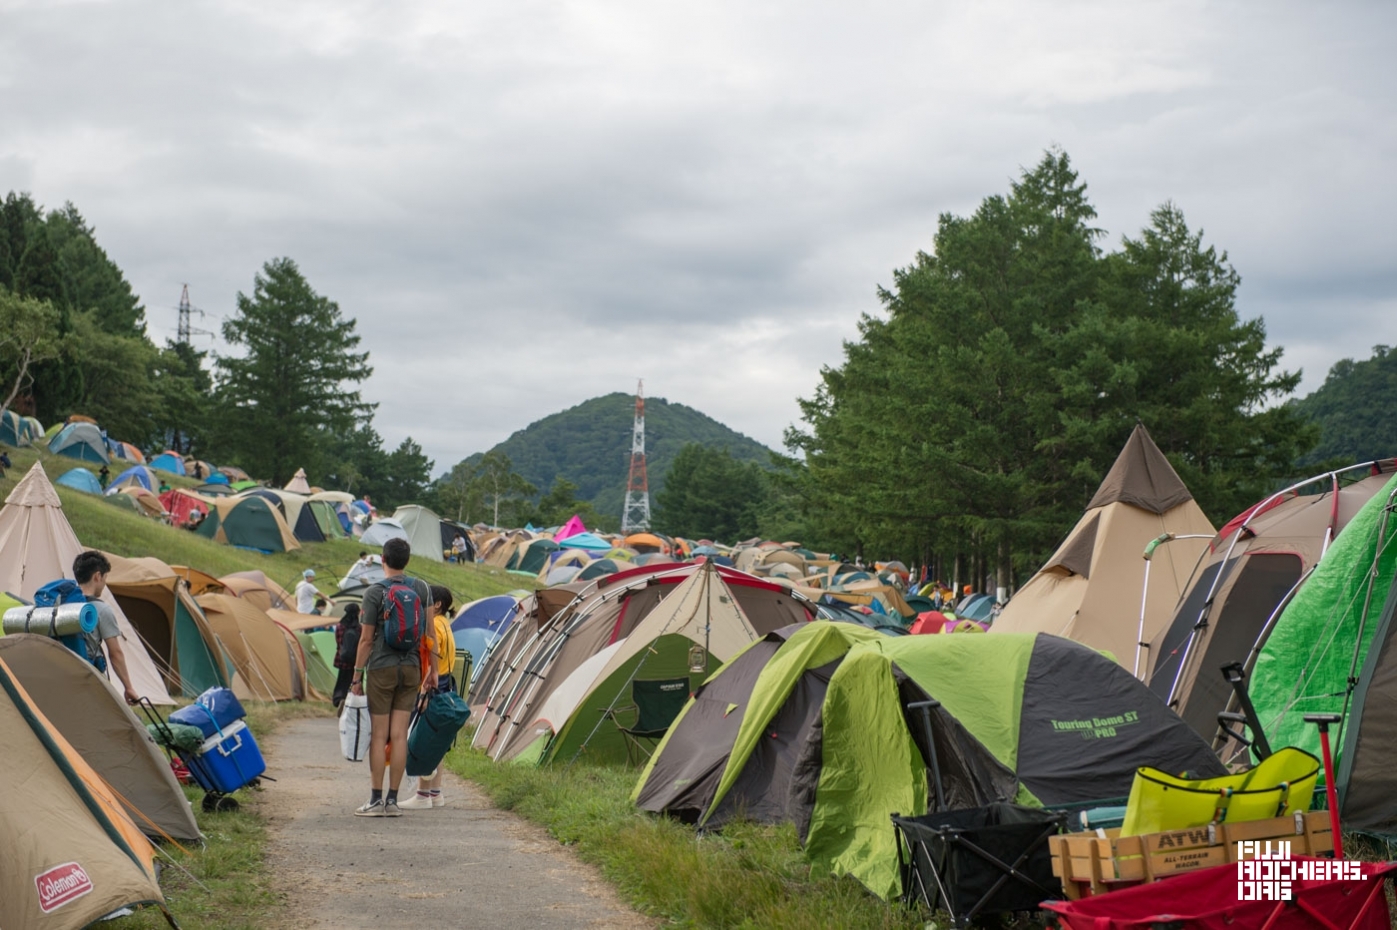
[[388, 668]]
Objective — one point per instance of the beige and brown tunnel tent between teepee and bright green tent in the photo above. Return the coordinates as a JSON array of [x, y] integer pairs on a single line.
[[1254, 565]]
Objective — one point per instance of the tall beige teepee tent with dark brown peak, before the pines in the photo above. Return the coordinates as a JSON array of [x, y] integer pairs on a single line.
[[1092, 589]]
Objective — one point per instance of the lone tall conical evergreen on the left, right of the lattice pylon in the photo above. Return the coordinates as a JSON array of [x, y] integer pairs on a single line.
[[294, 385]]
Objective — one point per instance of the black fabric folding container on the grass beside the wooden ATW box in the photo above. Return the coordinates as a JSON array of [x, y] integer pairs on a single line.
[[979, 861]]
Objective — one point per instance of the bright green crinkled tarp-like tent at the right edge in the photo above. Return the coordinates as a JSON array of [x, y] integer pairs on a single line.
[[1317, 657]]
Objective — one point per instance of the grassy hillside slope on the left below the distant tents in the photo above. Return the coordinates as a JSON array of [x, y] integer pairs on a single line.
[[103, 526]]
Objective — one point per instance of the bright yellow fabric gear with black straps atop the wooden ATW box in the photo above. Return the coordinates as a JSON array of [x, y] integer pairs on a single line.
[[1283, 784]]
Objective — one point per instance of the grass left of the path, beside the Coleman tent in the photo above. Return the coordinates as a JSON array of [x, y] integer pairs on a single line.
[[231, 886]]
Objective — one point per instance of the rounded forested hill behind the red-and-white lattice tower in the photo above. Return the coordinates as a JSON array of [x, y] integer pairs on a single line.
[[590, 446]]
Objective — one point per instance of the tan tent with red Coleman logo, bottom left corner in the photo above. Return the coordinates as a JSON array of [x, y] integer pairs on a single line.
[[71, 855]]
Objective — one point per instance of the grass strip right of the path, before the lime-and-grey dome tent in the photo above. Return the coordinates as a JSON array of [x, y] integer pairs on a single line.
[[749, 876]]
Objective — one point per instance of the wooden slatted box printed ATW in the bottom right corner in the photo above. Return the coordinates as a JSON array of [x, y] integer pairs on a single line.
[[1104, 861]]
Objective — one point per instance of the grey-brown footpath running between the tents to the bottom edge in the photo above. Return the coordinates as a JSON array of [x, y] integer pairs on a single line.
[[466, 865]]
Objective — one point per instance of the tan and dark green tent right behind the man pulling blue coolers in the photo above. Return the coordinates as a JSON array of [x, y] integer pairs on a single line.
[[171, 625]]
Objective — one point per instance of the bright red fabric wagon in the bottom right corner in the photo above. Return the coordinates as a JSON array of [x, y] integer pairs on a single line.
[[1209, 900]]
